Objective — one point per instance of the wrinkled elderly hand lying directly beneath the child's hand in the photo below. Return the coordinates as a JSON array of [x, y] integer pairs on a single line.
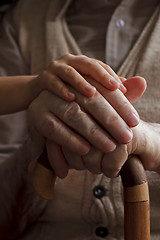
[[55, 118]]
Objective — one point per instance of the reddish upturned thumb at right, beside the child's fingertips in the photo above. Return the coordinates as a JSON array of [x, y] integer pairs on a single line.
[[136, 86]]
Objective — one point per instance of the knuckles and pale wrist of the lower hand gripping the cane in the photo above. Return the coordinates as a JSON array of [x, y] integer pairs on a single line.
[[145, 144]]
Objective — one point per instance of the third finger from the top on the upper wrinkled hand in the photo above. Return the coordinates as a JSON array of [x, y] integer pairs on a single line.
[[73, 116]]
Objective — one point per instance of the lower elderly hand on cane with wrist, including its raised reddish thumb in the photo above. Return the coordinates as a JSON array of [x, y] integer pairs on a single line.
[[110, 163]]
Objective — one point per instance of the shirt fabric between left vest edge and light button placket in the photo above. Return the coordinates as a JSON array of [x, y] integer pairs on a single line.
[[88, 22]]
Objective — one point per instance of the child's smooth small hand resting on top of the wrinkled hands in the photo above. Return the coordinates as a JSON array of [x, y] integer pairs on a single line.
[[69, 69]]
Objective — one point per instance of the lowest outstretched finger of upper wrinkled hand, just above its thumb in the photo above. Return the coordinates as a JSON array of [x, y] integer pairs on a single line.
[[50, 127]]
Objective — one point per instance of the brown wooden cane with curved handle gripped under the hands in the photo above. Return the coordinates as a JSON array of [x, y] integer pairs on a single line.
[[136, 194]]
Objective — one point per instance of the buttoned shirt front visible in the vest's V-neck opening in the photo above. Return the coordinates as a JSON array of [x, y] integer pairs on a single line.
[[105, 30]]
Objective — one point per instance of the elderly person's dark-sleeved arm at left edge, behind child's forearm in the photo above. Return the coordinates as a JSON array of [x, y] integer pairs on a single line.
[[19, 205]]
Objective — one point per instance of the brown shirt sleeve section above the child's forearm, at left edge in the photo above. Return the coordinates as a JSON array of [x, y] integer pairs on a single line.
[[11, 59]]
